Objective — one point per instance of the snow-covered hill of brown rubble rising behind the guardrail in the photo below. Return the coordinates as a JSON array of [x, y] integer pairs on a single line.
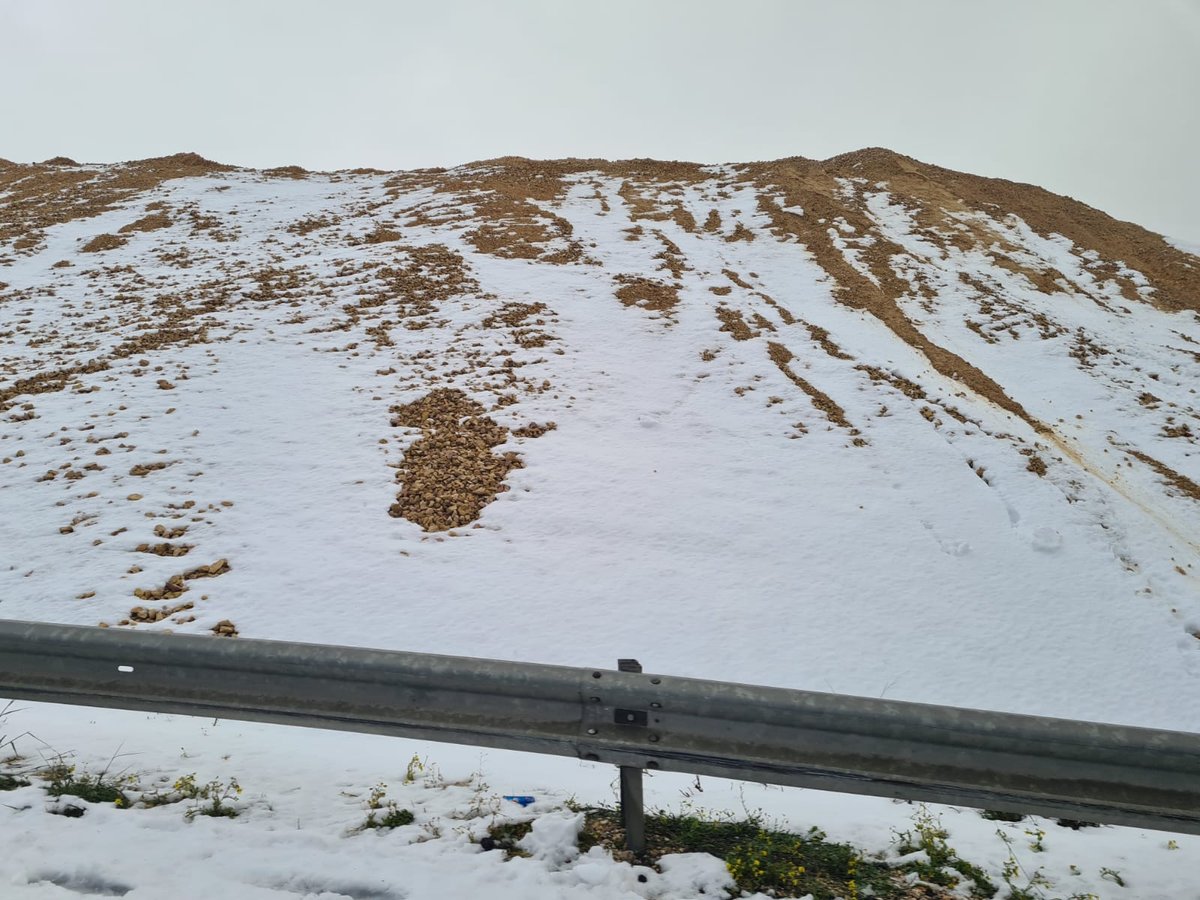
[[862, 425]]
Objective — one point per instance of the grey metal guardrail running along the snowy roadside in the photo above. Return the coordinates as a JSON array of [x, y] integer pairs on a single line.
[[1019, 764]]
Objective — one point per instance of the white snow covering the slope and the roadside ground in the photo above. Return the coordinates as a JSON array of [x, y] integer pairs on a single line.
[[698, 514]]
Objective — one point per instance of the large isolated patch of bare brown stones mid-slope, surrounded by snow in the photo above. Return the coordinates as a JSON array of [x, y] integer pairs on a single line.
[[451, 473]]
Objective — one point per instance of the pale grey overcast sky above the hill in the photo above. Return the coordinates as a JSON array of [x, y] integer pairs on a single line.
[[1089, 98]]
